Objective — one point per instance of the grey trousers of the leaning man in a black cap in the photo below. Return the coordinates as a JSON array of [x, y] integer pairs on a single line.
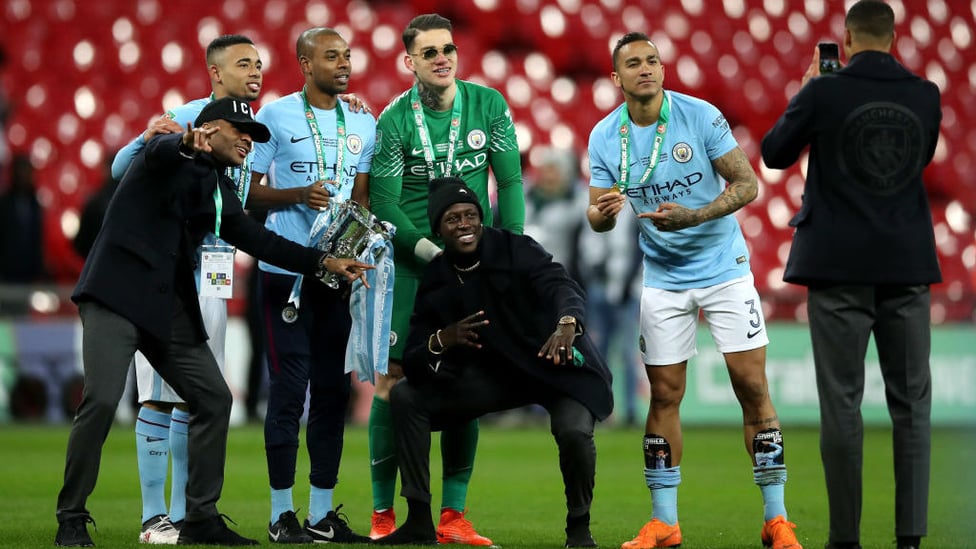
[[108, 344]]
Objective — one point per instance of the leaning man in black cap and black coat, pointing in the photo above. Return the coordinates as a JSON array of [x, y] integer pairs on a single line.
[[137, 292]]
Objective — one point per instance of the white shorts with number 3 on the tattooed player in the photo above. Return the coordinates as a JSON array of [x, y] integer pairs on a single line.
[[669, 320]]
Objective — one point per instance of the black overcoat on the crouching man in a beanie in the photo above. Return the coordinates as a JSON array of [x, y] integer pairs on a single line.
[[524, 293]]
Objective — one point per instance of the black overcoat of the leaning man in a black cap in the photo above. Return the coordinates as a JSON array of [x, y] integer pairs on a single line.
[[145, 252]]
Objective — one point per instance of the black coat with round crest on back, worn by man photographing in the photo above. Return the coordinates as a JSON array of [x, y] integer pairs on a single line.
[[872, 127]]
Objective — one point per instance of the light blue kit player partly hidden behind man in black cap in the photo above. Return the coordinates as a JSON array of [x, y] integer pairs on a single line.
[[162, 425]]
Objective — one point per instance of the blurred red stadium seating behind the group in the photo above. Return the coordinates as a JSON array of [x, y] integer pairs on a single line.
[[79, 79]]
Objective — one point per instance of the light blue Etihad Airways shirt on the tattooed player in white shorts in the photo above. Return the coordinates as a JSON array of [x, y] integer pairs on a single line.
[[697, 133]]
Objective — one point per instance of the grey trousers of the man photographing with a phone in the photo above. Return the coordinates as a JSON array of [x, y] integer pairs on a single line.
[[841, 320]]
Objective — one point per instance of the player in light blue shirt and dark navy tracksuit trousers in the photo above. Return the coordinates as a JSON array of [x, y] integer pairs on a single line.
[[320, 151]]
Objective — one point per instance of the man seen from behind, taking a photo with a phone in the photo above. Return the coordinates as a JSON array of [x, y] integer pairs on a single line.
[[864, 246]]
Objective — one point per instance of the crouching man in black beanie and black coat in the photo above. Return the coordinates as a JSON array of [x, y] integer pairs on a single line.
[[496, 325]]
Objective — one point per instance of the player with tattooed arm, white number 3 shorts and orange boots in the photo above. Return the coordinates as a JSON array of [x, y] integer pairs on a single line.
[[669, 156]]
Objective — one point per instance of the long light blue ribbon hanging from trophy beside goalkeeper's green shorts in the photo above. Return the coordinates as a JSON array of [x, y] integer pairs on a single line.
[[368, 347]]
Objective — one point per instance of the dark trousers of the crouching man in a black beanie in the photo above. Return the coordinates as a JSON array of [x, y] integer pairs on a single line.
[[475, 390]]
